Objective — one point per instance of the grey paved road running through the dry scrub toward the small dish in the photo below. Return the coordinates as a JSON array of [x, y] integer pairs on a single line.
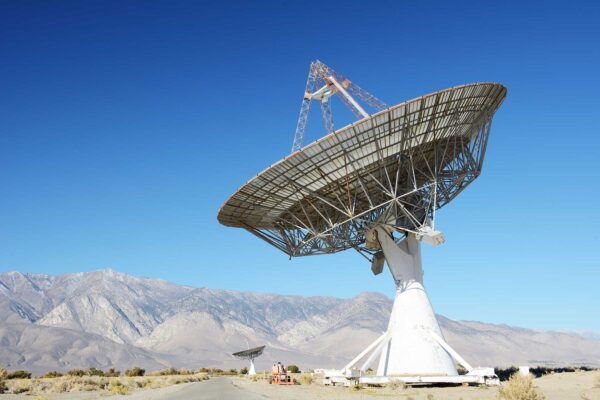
[[216, 388]]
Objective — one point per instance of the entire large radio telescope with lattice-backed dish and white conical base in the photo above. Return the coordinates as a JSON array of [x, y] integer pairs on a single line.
[[353, 189]]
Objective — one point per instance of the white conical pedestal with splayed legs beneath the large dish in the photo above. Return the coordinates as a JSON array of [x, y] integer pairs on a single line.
[[413, 344]]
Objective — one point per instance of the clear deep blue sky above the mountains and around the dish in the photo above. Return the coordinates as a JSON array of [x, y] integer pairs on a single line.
[[125, 125]]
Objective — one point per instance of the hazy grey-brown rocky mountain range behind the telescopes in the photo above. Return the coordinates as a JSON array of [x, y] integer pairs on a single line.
[[107, 319]]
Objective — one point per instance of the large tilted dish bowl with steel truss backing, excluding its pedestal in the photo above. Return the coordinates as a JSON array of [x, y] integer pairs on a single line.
[[395, 168]]
